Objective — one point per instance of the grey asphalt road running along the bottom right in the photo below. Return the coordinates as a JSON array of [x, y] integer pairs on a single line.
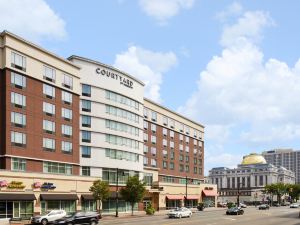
[[252, 216]]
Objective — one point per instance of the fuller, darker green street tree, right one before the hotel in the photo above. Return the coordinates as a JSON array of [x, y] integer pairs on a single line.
[[134, 191]]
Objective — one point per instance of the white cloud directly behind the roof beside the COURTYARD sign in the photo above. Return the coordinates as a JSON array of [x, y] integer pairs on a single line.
[[147, 66]]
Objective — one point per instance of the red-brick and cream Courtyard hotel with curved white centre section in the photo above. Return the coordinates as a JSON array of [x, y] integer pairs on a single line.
[[65, 123]]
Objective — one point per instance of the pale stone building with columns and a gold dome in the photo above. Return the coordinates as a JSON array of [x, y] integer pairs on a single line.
[[248, 180]]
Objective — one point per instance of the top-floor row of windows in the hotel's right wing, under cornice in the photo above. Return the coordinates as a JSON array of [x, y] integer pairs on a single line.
[[168, 121]]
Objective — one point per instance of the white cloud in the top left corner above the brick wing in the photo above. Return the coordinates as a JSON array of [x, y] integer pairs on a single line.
[[32, 19]]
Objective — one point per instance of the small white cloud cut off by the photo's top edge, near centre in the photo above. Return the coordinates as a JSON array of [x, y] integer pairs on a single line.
[[162, 10]]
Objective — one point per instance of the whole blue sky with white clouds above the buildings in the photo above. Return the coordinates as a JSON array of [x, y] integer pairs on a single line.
[[232, 66]]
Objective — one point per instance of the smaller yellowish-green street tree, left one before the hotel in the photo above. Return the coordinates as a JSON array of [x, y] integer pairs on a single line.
[[101, 192]]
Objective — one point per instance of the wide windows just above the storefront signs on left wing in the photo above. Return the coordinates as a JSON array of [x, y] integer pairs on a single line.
[[18, 164]]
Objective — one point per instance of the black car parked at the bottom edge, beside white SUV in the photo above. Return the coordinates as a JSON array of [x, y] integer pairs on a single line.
[[91, 218]]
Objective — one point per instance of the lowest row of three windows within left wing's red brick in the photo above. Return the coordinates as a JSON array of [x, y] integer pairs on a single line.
[[19, 139]]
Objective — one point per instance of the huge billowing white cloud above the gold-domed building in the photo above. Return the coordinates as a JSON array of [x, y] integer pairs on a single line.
[[244, 97]]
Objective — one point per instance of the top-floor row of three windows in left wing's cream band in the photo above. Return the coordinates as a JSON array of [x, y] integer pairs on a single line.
[[19, 62]]
